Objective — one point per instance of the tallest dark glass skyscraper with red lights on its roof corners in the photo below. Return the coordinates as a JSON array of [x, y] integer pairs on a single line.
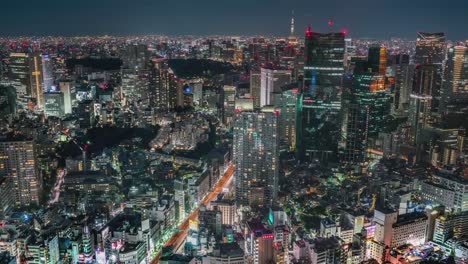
[[320, 102]]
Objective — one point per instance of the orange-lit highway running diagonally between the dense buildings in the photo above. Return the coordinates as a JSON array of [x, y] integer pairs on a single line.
[[178, 238]]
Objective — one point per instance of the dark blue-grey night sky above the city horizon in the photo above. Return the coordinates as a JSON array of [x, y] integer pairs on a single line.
[[362, 18]]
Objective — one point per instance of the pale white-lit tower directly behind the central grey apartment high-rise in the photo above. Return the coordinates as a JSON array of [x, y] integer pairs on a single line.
[[271, 81]]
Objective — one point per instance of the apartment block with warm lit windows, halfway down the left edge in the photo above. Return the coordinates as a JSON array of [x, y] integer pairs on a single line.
[[18, 164]]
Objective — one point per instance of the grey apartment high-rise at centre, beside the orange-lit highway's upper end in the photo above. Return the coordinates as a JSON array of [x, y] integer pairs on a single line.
[[255, 152]]
